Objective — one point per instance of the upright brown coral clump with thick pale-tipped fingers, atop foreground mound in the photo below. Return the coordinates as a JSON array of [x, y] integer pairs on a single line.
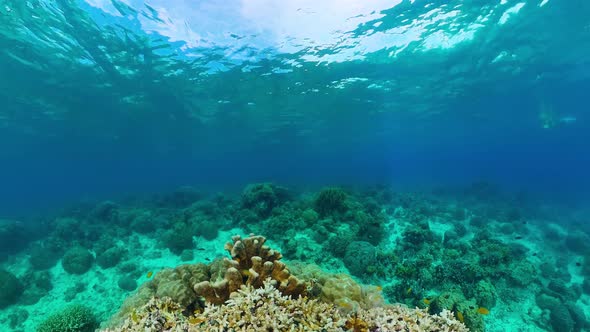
[[252, 262]]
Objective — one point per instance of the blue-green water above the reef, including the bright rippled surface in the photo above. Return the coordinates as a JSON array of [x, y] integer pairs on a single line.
[[105, 99]]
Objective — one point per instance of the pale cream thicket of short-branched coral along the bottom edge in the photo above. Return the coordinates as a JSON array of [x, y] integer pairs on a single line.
[[266, 309]]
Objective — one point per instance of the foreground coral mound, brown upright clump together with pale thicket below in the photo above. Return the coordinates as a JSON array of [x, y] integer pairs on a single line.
[[258, 293]]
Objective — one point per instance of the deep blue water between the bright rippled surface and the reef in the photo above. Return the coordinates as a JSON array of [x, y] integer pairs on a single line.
[[490, 130]]
